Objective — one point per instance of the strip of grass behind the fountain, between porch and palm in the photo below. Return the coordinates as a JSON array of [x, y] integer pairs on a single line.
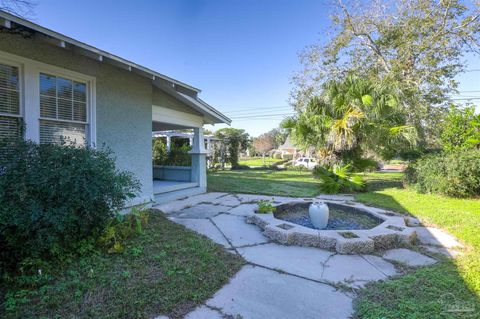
[[266, 182]]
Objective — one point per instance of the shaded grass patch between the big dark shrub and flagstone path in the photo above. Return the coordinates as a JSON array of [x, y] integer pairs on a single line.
[[166, 270]]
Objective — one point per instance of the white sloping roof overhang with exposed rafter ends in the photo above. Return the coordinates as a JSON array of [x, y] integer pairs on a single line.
[[182, 91]]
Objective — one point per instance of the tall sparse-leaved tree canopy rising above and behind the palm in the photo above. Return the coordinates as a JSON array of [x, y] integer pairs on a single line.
[[416, 46]]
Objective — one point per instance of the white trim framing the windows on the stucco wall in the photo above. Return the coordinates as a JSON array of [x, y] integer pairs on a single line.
[[29, 73]]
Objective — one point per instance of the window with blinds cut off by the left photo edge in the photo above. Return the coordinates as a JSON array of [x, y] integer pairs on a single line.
[[10, 110]]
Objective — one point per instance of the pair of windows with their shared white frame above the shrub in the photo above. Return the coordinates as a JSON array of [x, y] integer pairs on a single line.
[[44, 103]]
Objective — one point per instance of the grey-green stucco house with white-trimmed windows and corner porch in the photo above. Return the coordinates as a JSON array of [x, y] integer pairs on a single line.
[[61, 87]]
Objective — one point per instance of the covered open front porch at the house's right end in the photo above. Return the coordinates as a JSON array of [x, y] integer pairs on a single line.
[[180, 114]]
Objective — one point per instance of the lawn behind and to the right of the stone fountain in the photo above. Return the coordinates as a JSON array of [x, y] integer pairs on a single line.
[[422, 293]]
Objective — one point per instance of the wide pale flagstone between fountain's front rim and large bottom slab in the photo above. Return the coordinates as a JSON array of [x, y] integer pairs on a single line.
[[302, 261]]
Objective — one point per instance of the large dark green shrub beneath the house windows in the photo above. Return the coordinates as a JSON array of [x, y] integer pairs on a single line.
[[53, 198]]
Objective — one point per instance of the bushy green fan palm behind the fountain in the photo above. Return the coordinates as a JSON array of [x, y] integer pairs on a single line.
[[353, 117]]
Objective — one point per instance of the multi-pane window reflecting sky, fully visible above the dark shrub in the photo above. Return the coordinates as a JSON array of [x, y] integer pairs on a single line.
[[63, 110]]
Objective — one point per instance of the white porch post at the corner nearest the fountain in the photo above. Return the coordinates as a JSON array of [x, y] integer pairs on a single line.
[[199, 159]]
